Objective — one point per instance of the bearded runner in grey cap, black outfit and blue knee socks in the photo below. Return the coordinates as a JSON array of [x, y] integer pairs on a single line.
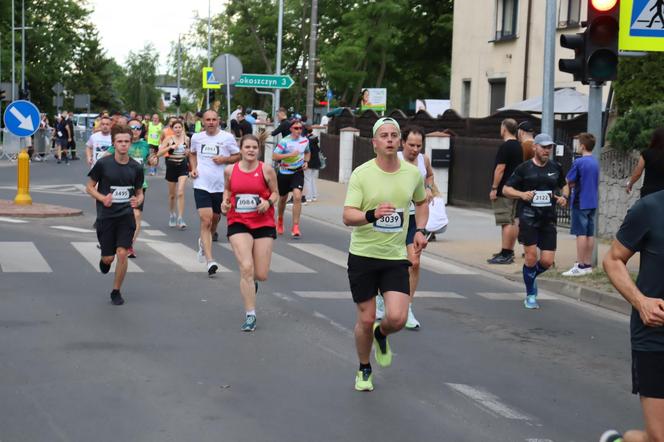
[[539, 185]]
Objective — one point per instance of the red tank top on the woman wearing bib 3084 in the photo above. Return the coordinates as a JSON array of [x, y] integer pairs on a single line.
[[246, 190]]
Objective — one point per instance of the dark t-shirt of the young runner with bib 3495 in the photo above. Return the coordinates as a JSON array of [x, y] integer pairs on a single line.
[[122, 180]]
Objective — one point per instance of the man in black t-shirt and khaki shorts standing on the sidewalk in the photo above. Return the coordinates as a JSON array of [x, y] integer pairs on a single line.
[[509, 156]]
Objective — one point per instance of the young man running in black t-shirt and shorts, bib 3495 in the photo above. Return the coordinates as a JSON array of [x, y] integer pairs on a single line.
[[116, 182]]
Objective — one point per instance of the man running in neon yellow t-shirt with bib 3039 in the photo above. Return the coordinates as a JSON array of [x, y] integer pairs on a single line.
[[376, 205]]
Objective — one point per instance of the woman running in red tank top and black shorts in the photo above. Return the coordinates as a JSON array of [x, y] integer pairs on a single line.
[[249, 198]]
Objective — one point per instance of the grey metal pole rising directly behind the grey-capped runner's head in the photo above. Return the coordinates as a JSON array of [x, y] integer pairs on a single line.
[[549, 67]]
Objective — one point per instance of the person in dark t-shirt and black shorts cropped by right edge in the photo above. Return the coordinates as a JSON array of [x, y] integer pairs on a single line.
[[643, 231]]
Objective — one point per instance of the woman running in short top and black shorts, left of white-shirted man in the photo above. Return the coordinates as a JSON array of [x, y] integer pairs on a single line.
[[176, 147]]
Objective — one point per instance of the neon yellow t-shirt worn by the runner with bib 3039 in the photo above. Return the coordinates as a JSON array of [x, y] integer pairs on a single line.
[[370, 186]]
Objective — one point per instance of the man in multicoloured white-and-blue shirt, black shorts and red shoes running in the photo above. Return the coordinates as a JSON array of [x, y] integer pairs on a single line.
[[293, 155]]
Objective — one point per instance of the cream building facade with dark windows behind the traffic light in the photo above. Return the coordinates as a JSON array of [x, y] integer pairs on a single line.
[[498, 52]]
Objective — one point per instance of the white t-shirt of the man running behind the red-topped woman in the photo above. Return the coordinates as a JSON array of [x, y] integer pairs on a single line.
[[205, 147]]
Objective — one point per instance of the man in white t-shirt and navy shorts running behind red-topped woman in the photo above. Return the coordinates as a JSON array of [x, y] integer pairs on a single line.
[[210, 151]]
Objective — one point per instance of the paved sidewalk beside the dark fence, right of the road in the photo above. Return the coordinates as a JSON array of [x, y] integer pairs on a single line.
[[472, 237]]
